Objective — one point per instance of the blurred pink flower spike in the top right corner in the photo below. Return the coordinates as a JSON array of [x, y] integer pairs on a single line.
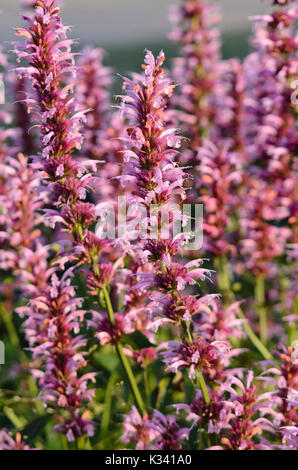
[[271, 126]]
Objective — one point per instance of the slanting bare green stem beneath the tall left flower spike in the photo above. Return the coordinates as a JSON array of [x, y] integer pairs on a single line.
[[123, 359]]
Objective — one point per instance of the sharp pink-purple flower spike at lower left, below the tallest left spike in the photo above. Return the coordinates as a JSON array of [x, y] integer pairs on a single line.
[[51, 319]]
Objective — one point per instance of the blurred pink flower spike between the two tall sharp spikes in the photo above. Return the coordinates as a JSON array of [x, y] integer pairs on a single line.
[[103, 128]]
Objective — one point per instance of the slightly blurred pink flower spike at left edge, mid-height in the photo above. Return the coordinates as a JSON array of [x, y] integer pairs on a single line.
[[22, 250]]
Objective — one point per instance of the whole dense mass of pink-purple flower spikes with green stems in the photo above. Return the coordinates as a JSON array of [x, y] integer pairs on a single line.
[[144, 298]]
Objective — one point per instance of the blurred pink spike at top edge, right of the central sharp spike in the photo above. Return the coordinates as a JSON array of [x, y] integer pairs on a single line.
[[196, 71]]
